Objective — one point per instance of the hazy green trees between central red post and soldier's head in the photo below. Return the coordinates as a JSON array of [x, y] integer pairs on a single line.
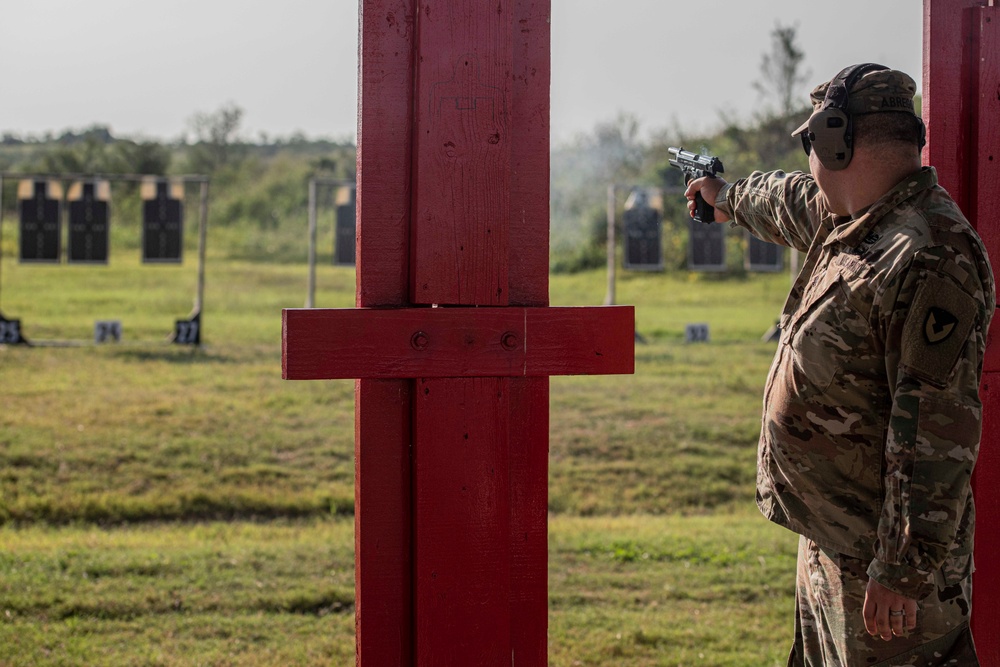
[[616, 152]]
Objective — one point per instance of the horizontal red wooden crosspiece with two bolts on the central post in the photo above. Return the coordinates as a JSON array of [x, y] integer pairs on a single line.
[[327, 344]]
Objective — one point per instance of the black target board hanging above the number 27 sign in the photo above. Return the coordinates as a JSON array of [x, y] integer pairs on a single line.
[[162, 221]]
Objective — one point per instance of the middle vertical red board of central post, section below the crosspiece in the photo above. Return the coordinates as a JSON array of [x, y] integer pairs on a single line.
[[462, 507]]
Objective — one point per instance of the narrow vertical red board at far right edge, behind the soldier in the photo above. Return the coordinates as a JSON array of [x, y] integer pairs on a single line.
[[984, 204]]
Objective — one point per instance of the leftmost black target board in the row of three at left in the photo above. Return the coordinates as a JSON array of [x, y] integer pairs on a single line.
[[40, 221]]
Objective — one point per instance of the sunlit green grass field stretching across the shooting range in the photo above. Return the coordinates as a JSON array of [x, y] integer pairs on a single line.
[[168, 506]]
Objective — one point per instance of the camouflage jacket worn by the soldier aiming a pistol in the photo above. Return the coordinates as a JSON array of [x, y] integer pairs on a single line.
[[872, 417]]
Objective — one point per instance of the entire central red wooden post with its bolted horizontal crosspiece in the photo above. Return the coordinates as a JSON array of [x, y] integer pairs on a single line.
[[453, 339]]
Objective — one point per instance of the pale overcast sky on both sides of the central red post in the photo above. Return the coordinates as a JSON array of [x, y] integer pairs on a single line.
[[145, 68]]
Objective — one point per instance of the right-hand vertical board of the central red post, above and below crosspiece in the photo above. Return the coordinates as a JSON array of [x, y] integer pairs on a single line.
[[529, 274]]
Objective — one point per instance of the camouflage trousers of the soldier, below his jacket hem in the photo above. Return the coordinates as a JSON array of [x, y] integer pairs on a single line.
[[830, 629]]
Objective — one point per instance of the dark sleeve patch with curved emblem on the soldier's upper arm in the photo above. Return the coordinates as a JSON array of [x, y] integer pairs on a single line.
[[937, 328]]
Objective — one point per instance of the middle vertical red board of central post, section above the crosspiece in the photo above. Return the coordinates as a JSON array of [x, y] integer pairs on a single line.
[[462, 140]]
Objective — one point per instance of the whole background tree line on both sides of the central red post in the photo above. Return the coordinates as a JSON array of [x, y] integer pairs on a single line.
[[259, 188]]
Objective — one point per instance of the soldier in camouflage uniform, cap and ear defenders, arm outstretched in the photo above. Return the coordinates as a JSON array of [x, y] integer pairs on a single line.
[[872, 417]]
